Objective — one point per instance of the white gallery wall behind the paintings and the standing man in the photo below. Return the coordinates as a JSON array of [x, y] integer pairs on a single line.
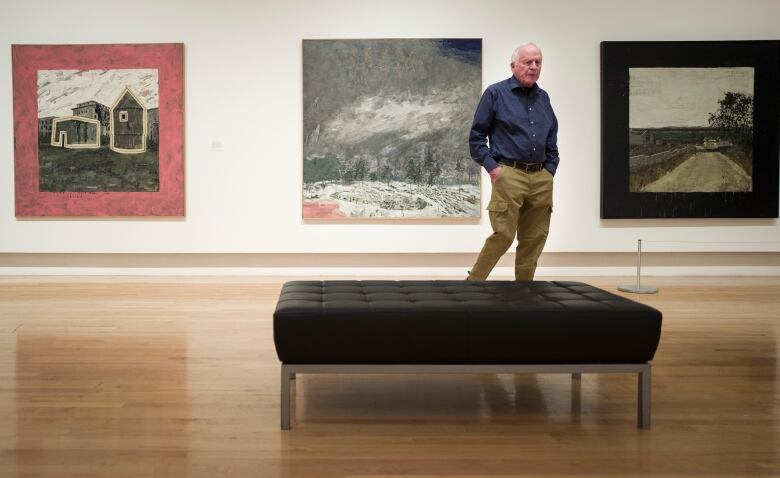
[[243, 118]]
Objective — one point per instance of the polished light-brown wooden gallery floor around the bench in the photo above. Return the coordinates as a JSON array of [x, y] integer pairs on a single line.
[[175, 377]]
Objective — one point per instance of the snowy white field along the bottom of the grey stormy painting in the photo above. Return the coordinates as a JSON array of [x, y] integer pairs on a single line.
[[395, 199]]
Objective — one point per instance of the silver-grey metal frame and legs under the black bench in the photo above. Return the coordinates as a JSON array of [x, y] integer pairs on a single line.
[[642, 369]]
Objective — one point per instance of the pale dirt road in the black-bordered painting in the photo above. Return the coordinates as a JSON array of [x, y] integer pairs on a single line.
[[703, 172]]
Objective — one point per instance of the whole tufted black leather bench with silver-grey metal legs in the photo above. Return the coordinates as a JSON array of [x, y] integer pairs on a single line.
[[462, 327]]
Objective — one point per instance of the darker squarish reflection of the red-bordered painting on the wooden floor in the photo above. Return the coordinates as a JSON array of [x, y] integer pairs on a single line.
[[100, 402]]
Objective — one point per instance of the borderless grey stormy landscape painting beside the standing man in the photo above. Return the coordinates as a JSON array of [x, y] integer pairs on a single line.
[[385, 128]]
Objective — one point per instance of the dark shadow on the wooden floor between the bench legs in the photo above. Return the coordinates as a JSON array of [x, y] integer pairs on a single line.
[[431, 397]]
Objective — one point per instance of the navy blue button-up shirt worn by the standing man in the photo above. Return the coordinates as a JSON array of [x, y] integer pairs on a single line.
[[520, 123]]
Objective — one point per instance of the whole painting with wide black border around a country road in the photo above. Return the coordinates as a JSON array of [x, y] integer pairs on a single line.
[[690, 129]]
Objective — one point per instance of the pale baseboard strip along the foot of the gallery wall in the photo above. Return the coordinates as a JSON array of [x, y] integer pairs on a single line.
[[405, 264]]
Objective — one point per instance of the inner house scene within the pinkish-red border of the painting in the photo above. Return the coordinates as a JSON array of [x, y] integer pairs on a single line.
[[92, 147]]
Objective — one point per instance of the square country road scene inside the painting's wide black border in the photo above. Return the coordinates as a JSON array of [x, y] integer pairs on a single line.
[[691, 129]]
